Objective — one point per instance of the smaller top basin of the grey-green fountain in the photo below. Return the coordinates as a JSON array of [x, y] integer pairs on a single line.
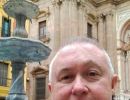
[[28, 9]]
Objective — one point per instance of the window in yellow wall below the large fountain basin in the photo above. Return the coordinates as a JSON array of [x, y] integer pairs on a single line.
[[3, 74]]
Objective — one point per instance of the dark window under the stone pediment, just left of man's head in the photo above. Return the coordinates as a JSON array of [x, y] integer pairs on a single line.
[[40, 88]]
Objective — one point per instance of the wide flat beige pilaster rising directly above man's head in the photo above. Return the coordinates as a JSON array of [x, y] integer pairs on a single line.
[[69, 20]]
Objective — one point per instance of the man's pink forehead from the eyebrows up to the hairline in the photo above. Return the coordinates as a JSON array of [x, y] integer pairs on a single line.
[[79, 54]]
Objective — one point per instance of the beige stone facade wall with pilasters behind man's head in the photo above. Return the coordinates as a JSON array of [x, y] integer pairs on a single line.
[[67, 19]]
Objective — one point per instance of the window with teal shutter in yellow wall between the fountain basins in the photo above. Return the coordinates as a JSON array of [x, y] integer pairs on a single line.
[[5, 27]]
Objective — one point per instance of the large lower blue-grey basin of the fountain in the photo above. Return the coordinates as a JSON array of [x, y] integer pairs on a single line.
[[22, 50]]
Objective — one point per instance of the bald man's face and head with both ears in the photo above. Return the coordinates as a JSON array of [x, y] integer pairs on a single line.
[[81, 72]]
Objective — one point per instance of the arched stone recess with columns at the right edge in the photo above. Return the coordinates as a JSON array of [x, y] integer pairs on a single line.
[[125, 61]]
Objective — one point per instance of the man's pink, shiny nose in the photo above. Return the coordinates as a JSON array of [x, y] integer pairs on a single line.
[[79, 87]]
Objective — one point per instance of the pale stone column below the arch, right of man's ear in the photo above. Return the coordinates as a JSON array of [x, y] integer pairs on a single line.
[[123, 68]]
